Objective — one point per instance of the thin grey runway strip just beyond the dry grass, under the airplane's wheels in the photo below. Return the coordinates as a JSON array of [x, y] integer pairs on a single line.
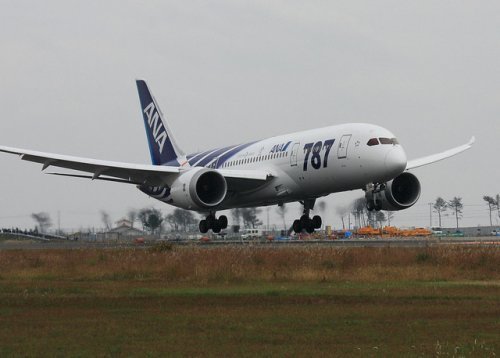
[[390, 242]]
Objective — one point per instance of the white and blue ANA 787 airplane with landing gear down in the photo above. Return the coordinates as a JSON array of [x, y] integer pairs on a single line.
[[301, 166]]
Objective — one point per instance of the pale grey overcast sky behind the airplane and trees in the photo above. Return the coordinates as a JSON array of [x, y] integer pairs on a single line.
[[231, 71]]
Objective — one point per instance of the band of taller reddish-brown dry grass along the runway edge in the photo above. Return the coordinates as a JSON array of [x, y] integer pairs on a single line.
[[243, 264]]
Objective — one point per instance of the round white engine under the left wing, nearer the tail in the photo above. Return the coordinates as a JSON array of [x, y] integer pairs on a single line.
[[198, 188]]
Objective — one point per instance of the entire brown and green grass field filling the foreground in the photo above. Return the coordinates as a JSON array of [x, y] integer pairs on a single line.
[[241, 301]]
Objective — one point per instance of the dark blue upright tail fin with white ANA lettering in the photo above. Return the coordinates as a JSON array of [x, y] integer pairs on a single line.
[[162, 145]]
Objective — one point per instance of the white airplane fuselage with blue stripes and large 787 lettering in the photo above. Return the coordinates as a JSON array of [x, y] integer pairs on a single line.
[[308, 164]]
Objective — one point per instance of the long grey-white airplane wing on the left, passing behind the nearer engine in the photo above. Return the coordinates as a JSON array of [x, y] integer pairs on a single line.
[[139, 174]]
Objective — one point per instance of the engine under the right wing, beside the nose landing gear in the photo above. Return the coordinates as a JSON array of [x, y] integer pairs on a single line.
[[400, 193]]
